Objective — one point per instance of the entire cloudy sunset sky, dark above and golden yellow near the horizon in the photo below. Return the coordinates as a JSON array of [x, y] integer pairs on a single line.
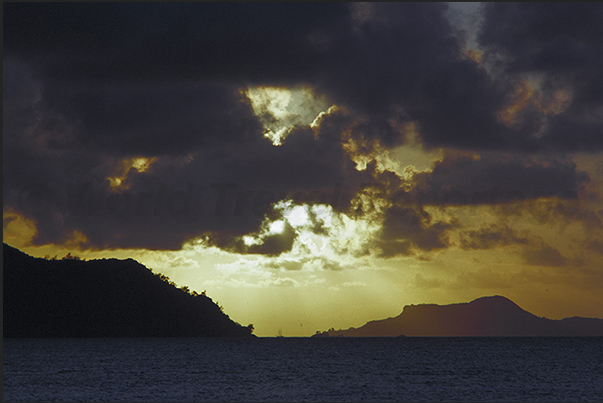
[[314, 165]]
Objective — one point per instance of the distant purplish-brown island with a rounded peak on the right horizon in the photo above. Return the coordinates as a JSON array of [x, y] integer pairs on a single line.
[[488, 316]]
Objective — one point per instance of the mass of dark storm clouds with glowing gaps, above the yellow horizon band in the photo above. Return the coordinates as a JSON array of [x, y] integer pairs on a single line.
[[150, 125]]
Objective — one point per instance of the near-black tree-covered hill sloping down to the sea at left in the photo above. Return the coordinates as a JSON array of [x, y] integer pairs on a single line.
[[103, 298]]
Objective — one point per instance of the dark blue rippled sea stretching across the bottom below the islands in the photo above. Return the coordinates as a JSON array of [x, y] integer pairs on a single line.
[[303, 369]]
